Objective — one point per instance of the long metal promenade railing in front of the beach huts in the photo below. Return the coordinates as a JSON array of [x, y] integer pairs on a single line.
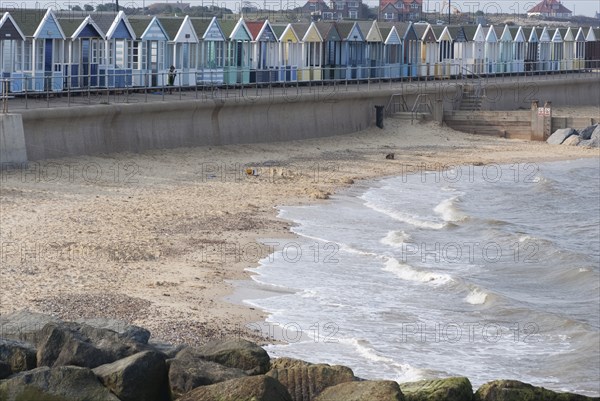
[[244, 83]]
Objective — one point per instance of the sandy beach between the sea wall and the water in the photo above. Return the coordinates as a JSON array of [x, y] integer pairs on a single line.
[[155, 239]]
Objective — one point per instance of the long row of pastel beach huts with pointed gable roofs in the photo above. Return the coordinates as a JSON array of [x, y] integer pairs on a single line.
[[46, 50]]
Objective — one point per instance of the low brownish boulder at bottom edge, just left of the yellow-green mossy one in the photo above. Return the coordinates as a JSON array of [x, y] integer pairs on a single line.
[[384, 390]]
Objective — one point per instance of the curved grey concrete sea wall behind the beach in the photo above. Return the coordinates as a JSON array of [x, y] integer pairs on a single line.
[[327, 111]]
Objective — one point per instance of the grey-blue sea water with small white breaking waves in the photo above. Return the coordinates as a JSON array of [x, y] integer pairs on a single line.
[[489, 272]]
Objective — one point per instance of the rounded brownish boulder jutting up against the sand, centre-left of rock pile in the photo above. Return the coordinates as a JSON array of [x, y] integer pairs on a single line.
[[240, 354]]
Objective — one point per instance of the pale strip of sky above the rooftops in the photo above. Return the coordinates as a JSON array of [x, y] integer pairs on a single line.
[[579, 7]]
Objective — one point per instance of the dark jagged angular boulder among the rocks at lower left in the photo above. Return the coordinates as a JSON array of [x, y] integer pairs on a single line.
[[83, 345]]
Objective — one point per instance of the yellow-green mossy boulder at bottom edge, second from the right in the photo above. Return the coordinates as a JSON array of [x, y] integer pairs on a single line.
[[450, 389]]
